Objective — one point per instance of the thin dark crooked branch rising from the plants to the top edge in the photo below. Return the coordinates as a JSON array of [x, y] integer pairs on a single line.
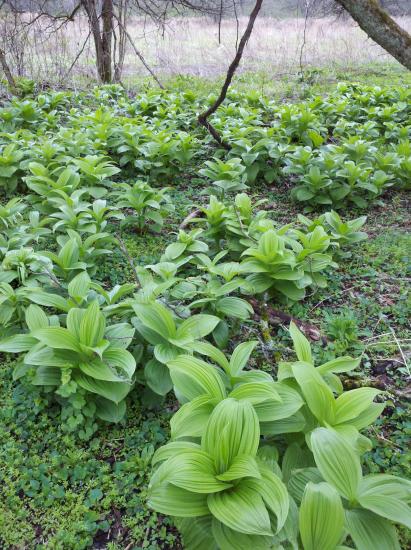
[[202, 118]]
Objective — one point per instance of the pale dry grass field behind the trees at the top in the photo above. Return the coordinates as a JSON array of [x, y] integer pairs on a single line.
[[189, 46]]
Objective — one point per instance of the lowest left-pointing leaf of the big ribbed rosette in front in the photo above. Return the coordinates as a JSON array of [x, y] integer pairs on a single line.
[[173, 501]]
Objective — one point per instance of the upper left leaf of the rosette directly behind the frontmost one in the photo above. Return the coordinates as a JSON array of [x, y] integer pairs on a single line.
[[193, 377]]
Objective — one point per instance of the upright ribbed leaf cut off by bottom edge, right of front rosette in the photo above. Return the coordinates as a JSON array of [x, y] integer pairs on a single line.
[[321, 517]]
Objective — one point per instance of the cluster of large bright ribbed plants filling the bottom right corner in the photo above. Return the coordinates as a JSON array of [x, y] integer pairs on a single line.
[[229, 483]]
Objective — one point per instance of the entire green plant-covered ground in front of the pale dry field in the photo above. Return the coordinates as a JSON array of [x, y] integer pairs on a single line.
[[204, 348]]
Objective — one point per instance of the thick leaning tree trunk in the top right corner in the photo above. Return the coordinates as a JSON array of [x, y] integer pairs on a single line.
[[381, 28]]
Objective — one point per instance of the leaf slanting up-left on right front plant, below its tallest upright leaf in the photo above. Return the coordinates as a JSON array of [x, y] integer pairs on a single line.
[[318, 395]]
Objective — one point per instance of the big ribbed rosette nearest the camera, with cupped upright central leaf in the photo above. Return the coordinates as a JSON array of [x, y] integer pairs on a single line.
[[233, 499]]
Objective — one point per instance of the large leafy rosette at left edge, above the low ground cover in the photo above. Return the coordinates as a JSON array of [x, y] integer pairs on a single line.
[[85, 354]]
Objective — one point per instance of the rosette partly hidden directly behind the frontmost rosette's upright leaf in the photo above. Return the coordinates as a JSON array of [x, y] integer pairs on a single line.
[[200, 386]]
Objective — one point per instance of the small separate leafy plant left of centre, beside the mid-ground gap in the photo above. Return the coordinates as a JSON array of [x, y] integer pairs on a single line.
[[149, 206]]
